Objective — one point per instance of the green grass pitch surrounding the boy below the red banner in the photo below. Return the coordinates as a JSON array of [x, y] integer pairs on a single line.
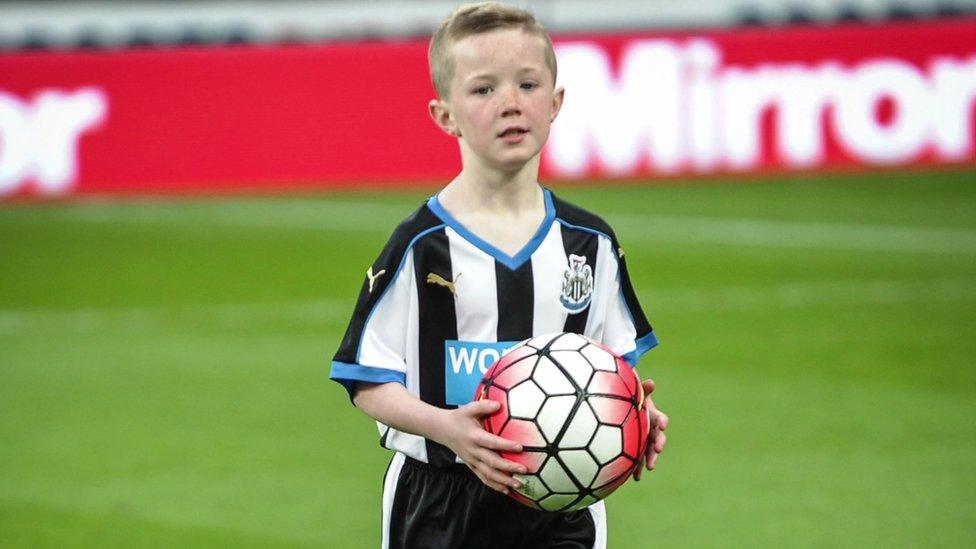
[[164, 365]]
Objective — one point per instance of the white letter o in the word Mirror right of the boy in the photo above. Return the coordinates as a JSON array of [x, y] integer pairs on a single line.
[[858, 127]]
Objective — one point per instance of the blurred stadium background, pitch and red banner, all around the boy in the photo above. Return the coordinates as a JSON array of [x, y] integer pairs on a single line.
[[190, 193]]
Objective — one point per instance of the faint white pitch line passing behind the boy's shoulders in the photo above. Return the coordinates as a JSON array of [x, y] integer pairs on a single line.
[[363, 216]]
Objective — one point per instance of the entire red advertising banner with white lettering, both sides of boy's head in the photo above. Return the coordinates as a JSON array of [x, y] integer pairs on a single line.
[[637, 106]]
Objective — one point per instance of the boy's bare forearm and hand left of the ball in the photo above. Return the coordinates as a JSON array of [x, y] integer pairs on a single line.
[[458, 429]]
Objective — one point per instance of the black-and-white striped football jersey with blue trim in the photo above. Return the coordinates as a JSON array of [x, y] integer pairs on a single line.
[[440, 305]]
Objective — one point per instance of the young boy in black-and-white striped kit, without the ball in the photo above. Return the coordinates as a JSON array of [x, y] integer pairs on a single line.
[[480, 265]]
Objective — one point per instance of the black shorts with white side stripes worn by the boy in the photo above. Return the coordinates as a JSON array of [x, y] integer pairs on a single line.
[[426, 507]]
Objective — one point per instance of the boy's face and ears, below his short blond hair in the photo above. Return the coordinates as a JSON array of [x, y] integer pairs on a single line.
[[502, 98]]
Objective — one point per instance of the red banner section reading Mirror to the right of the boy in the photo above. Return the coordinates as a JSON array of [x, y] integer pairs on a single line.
[[766, 100]]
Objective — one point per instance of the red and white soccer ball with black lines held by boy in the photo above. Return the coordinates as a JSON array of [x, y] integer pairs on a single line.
[[578, 411]]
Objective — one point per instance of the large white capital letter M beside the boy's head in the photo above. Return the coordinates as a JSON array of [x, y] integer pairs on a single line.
[[620, 121]]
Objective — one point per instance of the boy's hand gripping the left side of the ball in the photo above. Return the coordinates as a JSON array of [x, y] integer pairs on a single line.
[[461, 431]]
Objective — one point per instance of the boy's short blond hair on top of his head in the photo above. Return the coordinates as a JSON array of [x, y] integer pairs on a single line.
[[472, 19]]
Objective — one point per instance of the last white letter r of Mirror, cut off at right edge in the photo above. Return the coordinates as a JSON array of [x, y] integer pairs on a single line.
[[955, 93]]
